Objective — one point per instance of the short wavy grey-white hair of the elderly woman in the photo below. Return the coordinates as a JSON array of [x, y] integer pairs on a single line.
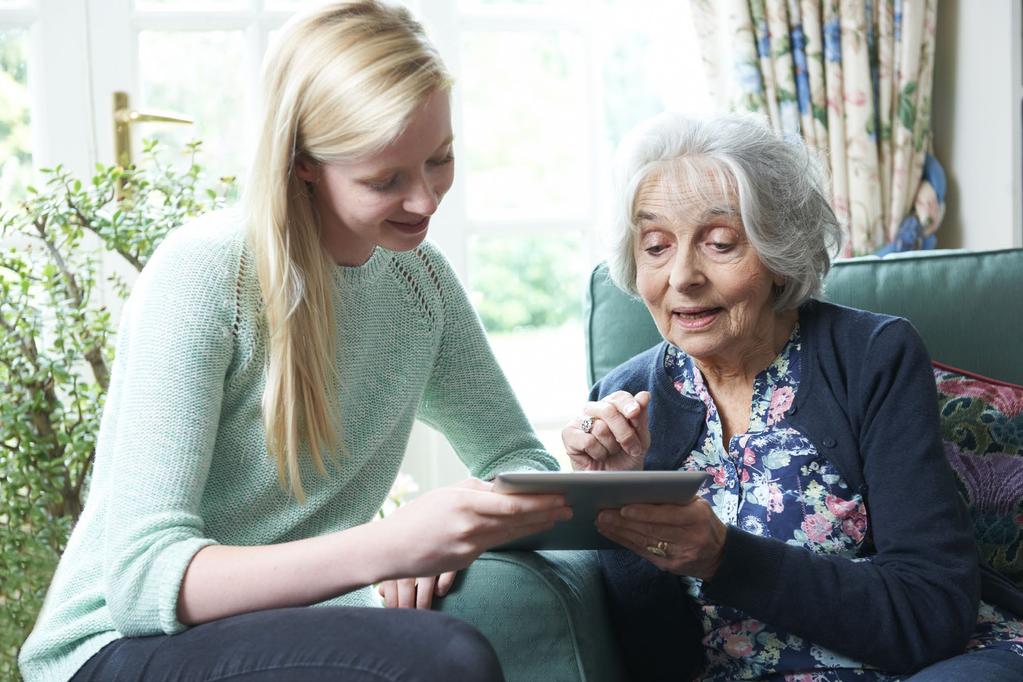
[[781, 186]]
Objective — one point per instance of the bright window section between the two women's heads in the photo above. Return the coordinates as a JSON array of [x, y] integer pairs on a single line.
[[545, 94]]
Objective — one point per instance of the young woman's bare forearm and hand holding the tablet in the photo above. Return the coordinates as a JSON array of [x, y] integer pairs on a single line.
[[225, 581]]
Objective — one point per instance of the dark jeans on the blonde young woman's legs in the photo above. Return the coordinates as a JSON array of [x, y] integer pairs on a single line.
[[313, 645]]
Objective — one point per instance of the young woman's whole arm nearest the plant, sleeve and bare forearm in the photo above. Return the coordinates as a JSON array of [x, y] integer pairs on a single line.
[[162, 570]]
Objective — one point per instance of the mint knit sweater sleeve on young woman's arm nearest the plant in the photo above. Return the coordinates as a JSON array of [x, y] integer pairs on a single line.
[[160, 427]]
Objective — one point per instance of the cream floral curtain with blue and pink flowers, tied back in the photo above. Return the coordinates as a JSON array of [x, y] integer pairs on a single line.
[[853, 78]]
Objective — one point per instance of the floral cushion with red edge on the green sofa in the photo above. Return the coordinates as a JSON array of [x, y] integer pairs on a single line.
[[983, 430]]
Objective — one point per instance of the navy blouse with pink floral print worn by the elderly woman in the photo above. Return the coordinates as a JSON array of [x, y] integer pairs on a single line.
[[772, 482]]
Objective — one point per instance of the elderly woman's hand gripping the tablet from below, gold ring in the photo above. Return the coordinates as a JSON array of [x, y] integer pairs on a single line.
[[686, 539]]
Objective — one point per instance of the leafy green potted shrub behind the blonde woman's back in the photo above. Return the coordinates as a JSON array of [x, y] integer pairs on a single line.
[[74, 246]]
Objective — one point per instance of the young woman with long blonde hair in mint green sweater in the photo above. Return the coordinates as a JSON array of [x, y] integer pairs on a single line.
[[270, 369]]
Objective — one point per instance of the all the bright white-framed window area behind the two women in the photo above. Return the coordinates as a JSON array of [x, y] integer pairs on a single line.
[[545, 92]]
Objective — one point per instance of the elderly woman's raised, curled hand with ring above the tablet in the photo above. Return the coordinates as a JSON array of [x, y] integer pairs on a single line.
[[612, 435]]
